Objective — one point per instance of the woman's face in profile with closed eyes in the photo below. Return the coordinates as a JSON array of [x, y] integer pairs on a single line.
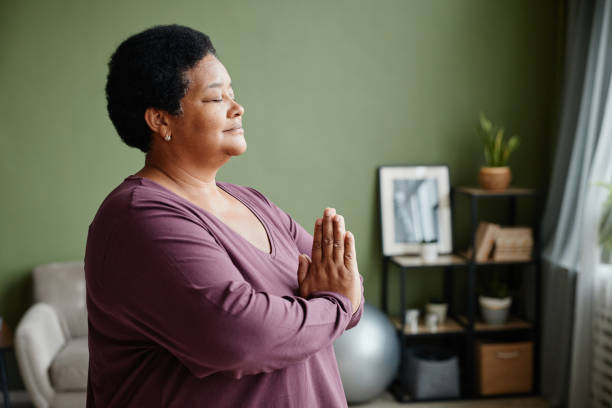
[[209, 130]]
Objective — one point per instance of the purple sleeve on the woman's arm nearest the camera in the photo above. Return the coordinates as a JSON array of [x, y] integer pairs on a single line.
[[175, 285]]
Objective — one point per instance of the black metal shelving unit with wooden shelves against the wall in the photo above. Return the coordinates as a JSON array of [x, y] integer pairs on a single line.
[[463, 330]]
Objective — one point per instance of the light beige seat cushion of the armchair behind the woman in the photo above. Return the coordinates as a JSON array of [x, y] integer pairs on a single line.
[[69, 369]]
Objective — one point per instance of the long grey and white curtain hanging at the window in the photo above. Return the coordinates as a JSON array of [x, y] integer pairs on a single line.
[[572, 250]]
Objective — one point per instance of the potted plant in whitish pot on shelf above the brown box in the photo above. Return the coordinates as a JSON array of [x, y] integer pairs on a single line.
[[495, 299]]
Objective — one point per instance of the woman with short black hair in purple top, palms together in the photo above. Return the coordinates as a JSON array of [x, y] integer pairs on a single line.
[[202, 293]]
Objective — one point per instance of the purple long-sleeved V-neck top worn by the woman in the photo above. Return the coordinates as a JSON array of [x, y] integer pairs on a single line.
[[185, 312]]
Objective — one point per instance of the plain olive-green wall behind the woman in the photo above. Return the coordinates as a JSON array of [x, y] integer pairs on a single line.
[[331, 91]]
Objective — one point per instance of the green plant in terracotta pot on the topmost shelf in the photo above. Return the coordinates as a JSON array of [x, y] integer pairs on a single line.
[[496, 175]]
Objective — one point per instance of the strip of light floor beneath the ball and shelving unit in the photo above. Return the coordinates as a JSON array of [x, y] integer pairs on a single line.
[[386, 400]]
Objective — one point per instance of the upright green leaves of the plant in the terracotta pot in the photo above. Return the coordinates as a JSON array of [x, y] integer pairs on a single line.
[[497, 149]]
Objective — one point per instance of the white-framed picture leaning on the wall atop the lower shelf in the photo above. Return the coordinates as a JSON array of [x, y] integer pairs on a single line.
[[414, 208]]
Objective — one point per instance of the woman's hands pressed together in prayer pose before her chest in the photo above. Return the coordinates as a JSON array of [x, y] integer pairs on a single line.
[[333, 266]]
